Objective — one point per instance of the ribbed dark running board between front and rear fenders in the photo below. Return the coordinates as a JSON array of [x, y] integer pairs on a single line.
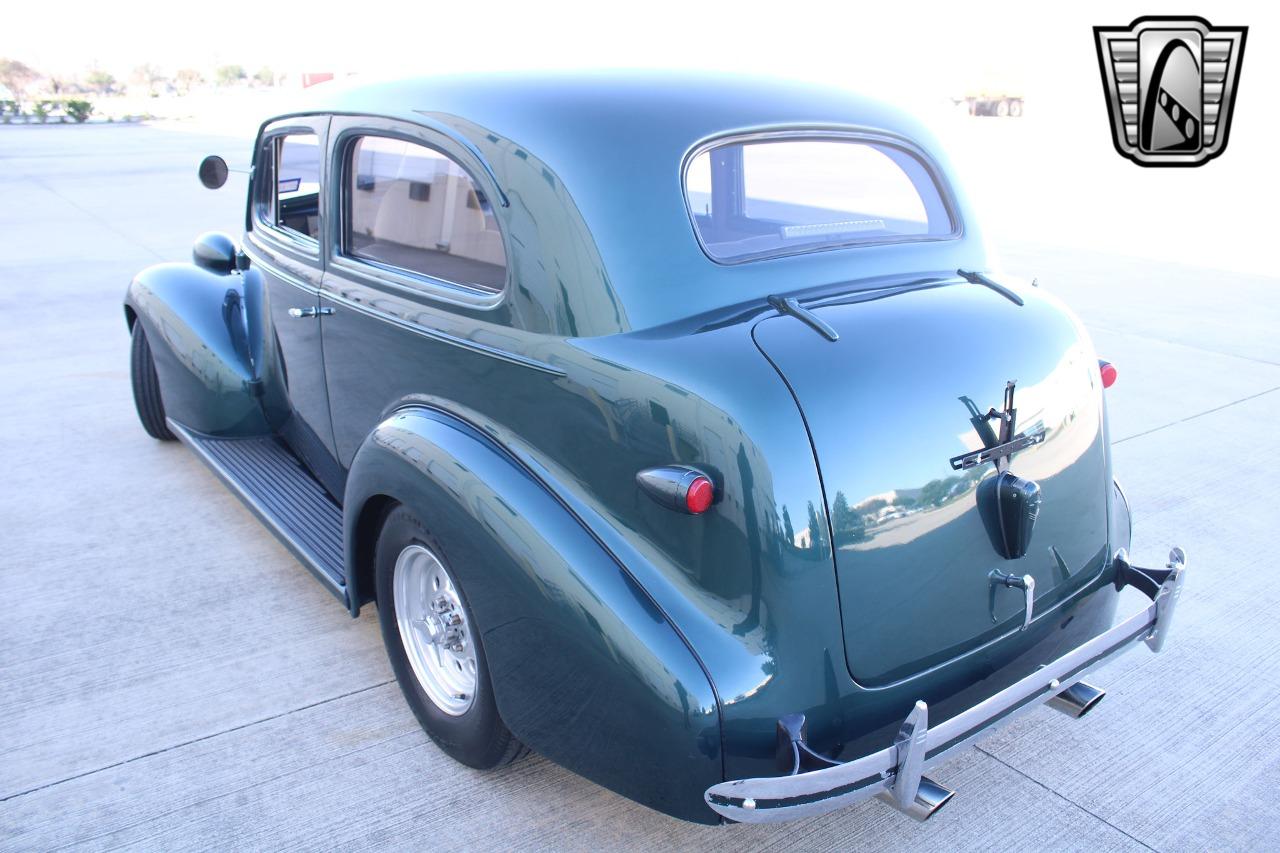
[[282, 494]]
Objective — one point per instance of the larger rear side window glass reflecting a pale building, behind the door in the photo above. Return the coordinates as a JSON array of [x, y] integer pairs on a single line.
[[415, 209]]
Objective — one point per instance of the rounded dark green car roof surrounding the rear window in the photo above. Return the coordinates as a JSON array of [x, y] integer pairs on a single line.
[[618, 142]]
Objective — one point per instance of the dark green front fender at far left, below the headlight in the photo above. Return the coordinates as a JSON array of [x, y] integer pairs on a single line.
[[205, 334]]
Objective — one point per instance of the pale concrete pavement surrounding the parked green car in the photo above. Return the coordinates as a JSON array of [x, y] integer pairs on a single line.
[[173, 679]]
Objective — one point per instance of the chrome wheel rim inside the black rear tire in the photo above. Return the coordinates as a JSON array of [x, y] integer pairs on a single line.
[[435, 631]]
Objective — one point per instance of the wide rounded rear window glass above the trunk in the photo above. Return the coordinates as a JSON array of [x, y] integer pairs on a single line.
[[780, 197]]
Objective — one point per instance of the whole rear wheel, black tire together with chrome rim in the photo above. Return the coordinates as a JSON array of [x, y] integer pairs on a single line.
[[435, 646]]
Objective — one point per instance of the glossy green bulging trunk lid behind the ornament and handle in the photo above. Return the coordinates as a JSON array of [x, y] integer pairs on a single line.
[[889, 407]]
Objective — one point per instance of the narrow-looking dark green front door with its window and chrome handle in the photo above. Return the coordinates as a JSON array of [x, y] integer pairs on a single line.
[[286, 241]]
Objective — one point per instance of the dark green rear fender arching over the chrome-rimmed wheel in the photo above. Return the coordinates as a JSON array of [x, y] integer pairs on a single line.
[[587, 669]]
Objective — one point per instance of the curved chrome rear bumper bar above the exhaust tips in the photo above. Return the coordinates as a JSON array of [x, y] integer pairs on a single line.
[[783, 799]]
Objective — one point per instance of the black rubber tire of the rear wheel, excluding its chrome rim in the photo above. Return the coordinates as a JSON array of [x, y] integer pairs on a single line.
[[477, 738]]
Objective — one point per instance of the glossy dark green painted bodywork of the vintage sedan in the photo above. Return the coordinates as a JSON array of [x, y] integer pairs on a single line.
[[647, 650]]
